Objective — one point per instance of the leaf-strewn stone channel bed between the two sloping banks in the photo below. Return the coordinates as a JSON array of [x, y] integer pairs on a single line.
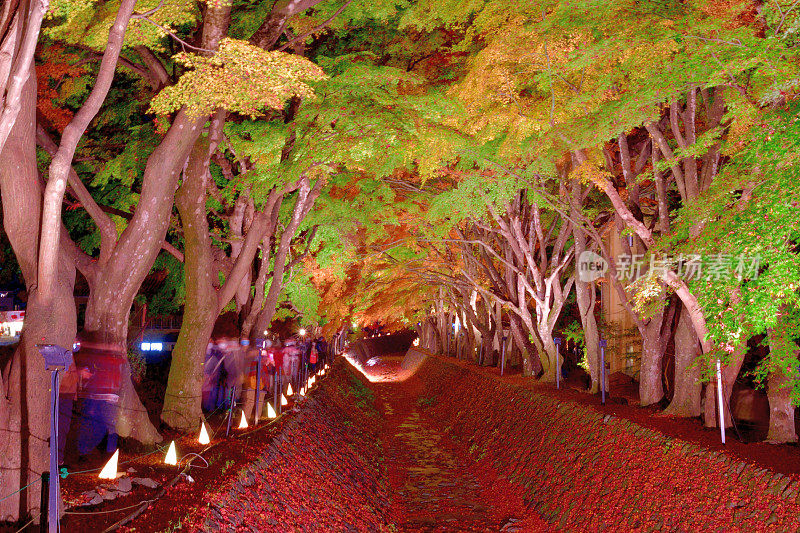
[[437, 485]]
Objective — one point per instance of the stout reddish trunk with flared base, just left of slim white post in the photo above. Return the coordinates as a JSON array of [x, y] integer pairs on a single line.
[[686, 399]]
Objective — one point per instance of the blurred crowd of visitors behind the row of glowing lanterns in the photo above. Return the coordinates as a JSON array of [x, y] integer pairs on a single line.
[[90, 388]]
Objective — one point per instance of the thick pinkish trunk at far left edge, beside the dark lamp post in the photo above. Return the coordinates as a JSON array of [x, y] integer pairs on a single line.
[[24, 396]]
